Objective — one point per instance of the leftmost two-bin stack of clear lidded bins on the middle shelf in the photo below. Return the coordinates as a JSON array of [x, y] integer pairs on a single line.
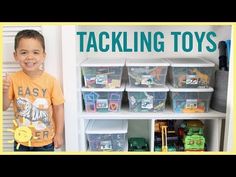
[[103, 90]]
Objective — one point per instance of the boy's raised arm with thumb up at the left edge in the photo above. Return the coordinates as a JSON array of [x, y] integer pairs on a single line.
[[6, 86]]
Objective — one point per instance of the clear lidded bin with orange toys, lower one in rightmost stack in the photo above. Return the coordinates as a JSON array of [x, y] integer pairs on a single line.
[[190, 100]]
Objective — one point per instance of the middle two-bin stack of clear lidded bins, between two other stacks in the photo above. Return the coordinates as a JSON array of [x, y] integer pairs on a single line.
[[147, 91]]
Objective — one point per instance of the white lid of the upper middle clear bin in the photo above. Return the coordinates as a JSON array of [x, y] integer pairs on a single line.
[[147, 62]]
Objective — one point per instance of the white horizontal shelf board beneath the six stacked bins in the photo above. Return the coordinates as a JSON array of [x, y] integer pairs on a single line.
[[167, 114]]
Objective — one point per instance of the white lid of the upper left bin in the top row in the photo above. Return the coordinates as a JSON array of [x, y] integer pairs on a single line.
[[103, 62]]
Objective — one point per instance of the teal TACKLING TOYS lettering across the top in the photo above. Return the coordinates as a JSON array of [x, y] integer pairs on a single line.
[[146, 41]]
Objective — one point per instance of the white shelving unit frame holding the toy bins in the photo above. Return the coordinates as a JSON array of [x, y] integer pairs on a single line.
[[140, 124]]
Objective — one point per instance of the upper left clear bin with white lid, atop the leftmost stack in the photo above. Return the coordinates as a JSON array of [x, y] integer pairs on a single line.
[[102, 73]]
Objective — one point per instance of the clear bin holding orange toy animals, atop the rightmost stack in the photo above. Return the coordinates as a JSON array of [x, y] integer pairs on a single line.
[[190, 72]]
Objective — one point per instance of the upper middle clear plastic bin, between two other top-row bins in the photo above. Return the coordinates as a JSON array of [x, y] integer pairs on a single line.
[[147, 72]]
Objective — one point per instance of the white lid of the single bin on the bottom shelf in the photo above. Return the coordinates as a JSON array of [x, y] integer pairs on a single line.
[[107, 127]]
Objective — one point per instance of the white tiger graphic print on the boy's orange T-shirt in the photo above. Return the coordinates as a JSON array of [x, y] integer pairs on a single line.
[[35, 113]]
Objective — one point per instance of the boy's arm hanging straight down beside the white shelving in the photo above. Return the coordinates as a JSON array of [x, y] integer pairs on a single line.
[[58, 115]]
